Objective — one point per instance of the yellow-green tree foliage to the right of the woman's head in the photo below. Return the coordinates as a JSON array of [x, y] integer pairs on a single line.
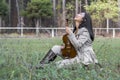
[[101, 10]]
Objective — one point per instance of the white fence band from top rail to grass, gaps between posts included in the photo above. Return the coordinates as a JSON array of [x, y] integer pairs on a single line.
[[52, 32]]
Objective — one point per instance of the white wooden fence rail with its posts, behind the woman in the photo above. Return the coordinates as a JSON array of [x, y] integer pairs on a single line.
[[53, 31]]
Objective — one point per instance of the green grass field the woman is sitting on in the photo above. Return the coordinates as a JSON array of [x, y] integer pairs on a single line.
[[16, 55]]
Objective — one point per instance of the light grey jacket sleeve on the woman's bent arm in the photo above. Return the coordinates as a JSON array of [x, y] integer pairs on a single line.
[[77, 43]]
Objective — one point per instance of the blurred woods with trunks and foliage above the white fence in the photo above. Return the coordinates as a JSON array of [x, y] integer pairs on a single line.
[[52, 13]]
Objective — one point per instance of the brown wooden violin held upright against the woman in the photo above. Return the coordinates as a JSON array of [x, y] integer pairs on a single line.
[[68, 51]]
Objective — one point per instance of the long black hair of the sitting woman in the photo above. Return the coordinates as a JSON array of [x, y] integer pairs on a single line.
[[87, 23]]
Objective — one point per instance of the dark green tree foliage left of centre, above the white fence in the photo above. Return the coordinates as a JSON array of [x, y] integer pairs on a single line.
[[38, 9]]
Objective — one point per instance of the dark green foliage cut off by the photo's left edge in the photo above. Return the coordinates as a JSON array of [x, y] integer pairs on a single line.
[[3, 8]]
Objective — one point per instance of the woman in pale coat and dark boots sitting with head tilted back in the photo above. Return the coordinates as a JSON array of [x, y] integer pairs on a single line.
[[81, 38]]
